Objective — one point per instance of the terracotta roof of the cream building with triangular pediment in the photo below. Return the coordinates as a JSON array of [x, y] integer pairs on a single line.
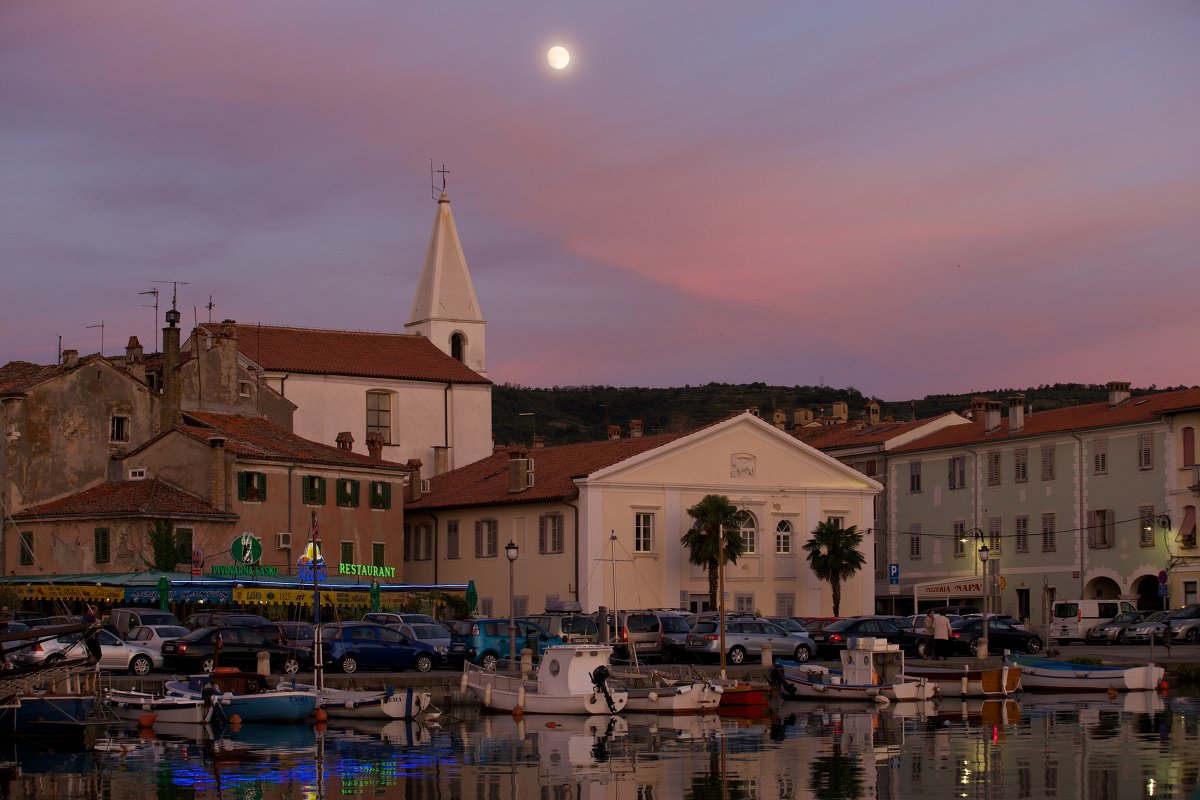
[[487, 482]]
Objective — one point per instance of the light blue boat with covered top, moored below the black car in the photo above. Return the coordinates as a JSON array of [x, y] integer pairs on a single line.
[[248, 696]]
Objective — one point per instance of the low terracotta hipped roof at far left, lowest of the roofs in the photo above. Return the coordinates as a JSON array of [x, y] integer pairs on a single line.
[[149, 498]]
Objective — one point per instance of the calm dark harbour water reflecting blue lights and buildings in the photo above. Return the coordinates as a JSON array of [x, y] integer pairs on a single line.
[[1136, 747]]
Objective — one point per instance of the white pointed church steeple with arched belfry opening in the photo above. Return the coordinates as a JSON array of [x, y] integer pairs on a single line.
[[446, 310]]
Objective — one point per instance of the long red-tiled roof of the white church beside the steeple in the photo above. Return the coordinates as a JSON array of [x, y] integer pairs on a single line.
[[403, 357]]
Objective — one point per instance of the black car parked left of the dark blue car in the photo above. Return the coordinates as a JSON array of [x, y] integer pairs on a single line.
[[239, 647]]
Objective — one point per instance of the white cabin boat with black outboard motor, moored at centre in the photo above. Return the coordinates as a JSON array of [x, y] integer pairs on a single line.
[[571, 679]]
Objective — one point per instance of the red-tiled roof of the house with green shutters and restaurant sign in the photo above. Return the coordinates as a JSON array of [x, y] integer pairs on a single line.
[[255, 437]]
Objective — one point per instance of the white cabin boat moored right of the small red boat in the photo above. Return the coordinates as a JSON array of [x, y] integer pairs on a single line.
[[872, 671]]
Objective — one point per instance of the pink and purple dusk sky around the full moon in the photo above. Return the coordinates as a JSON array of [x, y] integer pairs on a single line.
[[908, 199]]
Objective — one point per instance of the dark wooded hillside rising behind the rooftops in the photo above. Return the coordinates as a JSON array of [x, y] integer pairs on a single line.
[[571, 414]]
